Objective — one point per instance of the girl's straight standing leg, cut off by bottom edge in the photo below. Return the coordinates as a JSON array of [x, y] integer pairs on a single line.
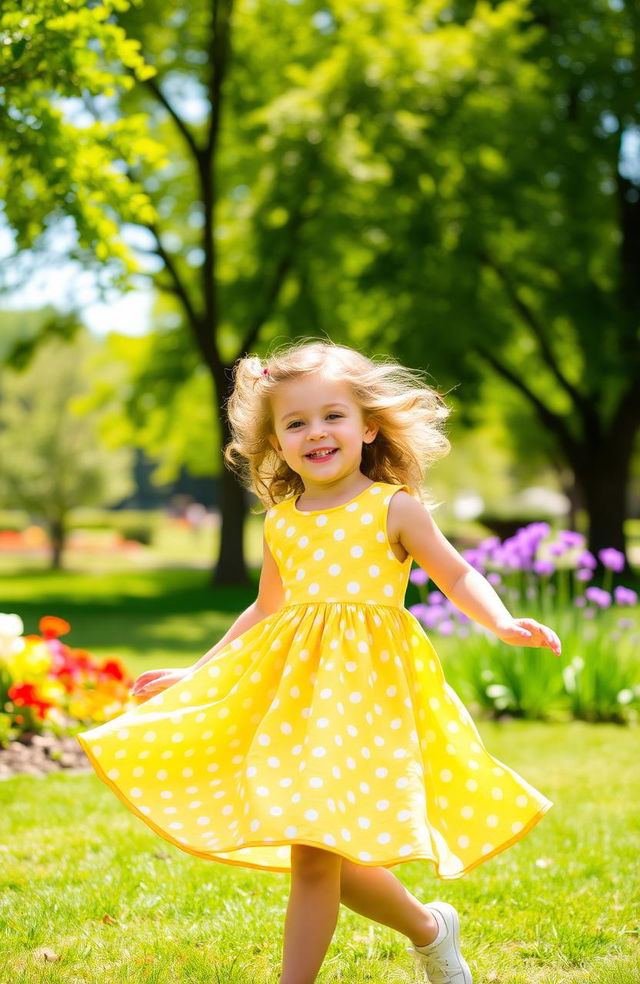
[[312, 912]]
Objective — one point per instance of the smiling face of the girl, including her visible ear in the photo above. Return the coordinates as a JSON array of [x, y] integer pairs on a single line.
[[311, 415]]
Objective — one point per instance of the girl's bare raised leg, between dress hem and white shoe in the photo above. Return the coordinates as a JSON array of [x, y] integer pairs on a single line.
[[377, 894]]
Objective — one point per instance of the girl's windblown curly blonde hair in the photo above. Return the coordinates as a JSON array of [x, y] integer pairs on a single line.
[[408, 412]]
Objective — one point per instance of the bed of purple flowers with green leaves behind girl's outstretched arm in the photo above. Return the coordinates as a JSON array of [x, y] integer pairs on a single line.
[[545, 577]]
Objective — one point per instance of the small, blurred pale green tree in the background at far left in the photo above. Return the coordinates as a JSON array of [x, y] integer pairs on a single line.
[[52, 456]]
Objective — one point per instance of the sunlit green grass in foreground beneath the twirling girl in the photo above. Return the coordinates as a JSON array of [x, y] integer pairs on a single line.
[[85, 880]]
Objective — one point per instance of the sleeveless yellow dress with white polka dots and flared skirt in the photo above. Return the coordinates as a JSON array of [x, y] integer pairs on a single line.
[[329, 723]]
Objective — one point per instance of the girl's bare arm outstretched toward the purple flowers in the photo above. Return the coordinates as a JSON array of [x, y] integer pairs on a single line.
[[469, 591]]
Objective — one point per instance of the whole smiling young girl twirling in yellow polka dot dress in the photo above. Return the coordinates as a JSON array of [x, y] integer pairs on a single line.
[[319, 736]]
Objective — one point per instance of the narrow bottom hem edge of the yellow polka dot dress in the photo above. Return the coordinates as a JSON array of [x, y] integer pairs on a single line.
[[388, 863]]
